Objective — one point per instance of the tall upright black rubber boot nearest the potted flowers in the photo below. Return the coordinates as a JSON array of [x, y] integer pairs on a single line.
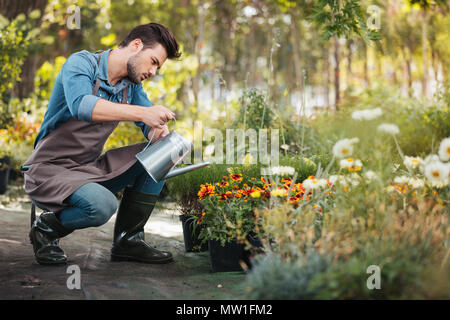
[[129, 243]]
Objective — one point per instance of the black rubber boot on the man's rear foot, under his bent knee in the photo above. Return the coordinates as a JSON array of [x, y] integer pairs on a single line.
[[44, 236]]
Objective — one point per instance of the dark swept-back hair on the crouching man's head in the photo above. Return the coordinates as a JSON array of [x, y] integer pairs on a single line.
[[151, 34]]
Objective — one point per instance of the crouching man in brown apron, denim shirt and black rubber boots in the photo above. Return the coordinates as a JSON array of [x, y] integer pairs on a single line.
[[68, 176]]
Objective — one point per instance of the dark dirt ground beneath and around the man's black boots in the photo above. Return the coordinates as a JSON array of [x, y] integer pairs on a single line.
[[188, 277]]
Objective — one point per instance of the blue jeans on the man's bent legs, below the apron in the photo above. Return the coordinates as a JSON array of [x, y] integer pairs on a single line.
[[94, 203]]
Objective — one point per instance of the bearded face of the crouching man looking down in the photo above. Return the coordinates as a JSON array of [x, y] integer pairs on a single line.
[[145, 63]]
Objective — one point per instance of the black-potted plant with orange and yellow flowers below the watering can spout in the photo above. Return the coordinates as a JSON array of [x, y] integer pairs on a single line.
[[228, 221]]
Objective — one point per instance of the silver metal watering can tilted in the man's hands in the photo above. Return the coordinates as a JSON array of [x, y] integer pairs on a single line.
[[160, 158]]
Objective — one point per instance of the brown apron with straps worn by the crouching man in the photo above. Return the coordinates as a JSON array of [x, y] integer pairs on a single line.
[[70, 156]]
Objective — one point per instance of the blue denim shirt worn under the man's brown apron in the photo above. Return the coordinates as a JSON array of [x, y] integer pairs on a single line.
[[72, 92]]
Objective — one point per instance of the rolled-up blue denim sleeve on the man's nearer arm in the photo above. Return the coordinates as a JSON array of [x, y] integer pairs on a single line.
[[77, 78]]
